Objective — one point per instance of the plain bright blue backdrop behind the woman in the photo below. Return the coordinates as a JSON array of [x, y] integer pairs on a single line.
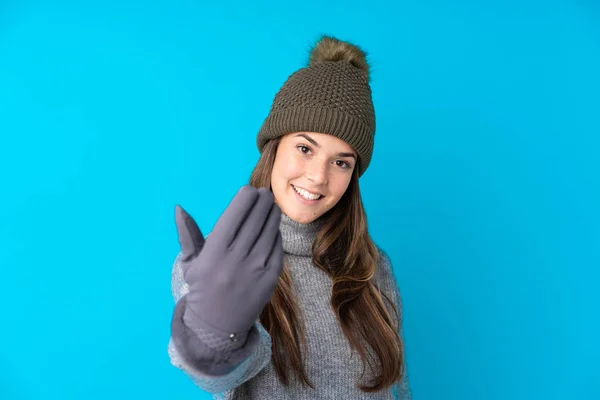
[[484, 188]]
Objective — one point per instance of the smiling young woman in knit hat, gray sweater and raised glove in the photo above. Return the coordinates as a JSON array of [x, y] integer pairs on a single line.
[[288, 297]]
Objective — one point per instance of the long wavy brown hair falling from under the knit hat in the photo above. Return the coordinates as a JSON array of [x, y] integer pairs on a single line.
[[345, 251]]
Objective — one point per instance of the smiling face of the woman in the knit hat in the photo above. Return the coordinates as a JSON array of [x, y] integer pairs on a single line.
[[311, 173]]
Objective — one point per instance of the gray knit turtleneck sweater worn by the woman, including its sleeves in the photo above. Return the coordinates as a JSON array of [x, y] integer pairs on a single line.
[[332, 367]]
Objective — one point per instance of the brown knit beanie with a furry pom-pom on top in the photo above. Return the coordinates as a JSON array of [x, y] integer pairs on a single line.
[[331, 95]]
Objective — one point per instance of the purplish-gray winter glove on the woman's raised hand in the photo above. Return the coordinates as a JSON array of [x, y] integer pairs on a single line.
[[231, 276]]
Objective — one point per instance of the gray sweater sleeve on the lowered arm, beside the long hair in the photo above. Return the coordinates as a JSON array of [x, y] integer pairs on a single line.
[[390, 287]]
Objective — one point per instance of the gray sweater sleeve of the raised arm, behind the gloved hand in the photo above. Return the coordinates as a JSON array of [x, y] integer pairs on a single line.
[[258, 358]]
